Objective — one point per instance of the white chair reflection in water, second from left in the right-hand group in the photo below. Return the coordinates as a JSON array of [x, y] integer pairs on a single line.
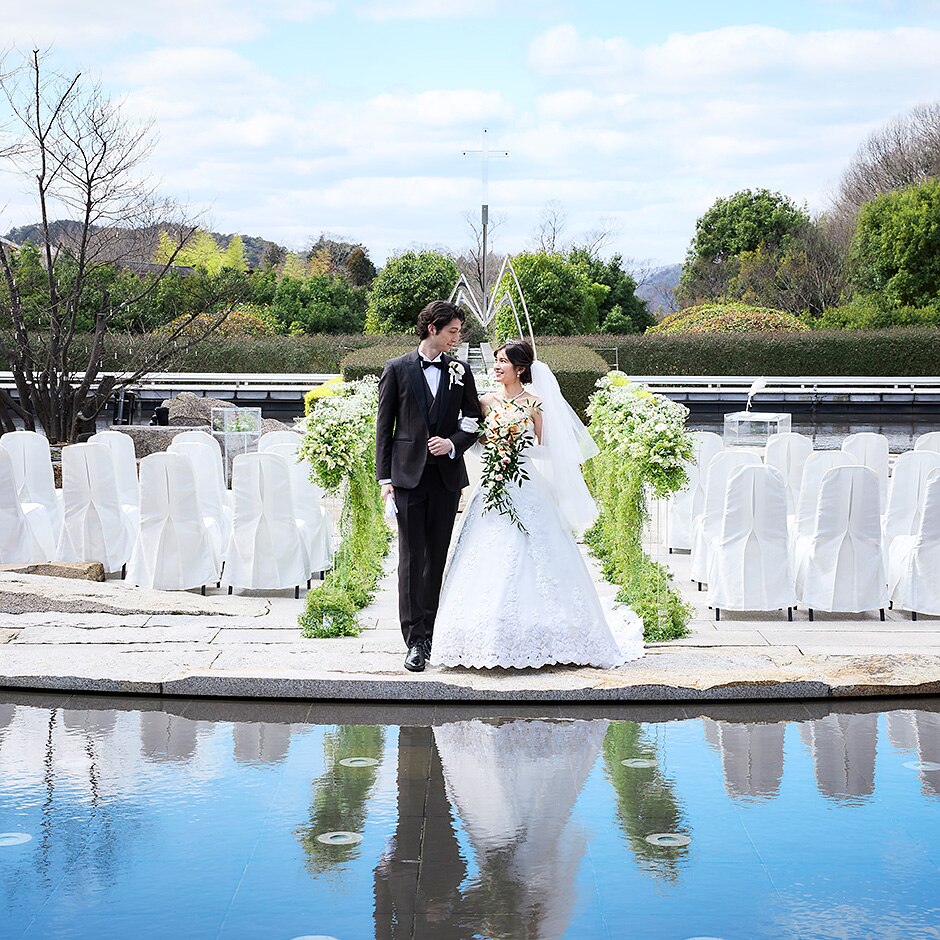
[[843, 749]]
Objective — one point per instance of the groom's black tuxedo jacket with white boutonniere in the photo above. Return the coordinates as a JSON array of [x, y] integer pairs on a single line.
[[408, 417]]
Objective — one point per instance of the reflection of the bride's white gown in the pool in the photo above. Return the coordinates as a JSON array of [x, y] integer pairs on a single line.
[[513, 785]]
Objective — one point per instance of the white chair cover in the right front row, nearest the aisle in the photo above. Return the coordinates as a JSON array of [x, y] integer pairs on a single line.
[[749, 567]]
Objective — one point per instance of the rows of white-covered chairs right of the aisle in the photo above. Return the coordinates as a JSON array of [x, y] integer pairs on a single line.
[[773, 549]]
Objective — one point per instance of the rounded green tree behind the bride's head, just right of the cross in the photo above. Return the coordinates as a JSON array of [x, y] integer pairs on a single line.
[[561, 298]]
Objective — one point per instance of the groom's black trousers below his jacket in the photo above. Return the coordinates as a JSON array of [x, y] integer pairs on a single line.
[[425, 523]]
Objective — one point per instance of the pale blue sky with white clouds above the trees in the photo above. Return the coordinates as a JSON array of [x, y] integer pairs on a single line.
[[286, 118]]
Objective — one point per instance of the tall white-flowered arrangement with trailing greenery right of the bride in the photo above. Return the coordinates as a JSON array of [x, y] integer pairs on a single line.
[[643, 450]]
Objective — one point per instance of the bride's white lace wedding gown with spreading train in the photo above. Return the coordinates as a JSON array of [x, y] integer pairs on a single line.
[[518, 600]]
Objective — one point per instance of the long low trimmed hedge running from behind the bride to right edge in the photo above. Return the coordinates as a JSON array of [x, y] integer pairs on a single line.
[[908, 351]]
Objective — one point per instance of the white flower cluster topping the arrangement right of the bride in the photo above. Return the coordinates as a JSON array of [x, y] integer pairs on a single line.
[[646, 428]]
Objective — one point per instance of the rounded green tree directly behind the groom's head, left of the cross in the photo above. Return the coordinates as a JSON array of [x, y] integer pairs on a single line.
[[404, 286]]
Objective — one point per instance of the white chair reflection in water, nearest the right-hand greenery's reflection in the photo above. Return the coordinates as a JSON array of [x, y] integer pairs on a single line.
[[751, 757]]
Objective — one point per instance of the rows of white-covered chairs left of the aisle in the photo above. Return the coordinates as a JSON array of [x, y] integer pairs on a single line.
[[177, 527]]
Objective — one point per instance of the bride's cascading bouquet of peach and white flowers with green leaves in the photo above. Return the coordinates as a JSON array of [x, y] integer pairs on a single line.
[[506, 434]]
